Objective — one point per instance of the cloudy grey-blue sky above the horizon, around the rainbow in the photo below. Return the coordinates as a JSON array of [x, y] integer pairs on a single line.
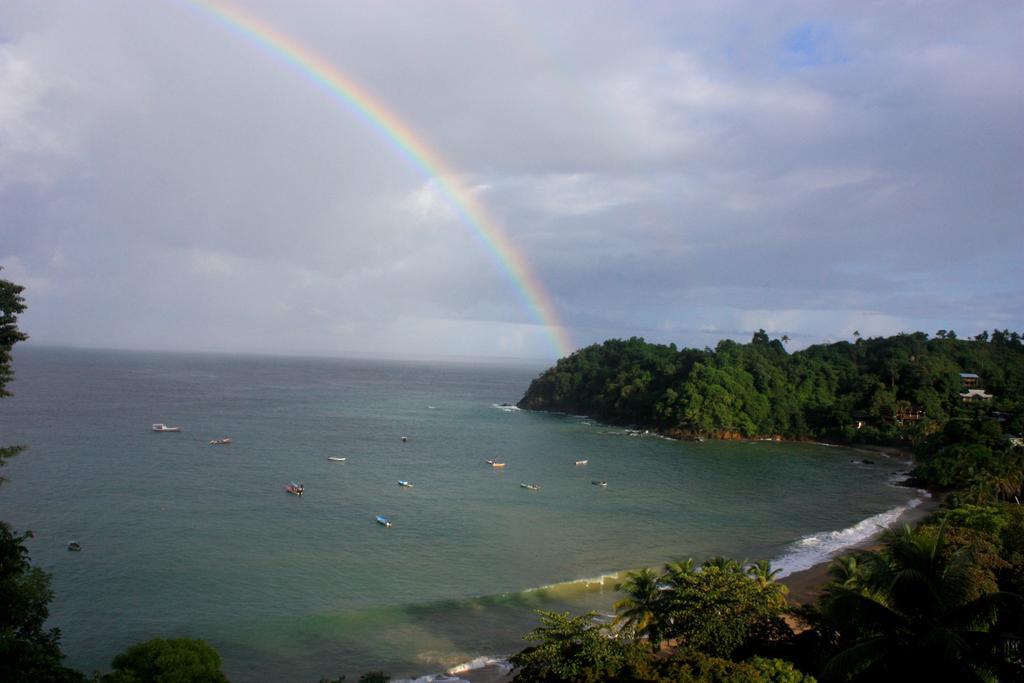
[[682, 172]]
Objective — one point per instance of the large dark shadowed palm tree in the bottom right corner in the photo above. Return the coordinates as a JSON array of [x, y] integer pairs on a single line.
[[919, 623]]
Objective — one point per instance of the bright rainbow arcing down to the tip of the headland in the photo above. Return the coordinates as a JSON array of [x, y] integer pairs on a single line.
[[408, 145]]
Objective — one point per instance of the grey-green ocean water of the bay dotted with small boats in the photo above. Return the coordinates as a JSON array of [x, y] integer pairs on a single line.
[[182, 538]]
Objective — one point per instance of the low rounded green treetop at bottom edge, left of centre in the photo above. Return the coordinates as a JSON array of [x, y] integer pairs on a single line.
[[174, 661]]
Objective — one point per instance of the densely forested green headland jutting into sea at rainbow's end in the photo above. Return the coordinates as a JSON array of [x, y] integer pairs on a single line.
[[895, 390]]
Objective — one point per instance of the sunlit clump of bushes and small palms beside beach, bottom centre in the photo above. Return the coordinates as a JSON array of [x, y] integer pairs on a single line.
[[685, 625]]
